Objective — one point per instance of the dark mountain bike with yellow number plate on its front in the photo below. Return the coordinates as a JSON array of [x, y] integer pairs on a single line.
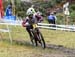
[[37, 37]]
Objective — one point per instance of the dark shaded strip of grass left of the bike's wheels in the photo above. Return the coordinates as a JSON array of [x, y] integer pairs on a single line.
[[18, 42]]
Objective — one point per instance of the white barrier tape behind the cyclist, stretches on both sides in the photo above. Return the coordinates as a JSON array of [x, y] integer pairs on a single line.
[[46, 26]]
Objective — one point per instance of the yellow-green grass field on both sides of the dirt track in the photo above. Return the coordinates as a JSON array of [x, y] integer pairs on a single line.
[[25, 49]]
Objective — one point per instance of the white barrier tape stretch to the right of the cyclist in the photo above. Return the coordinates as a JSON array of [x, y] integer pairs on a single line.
[[57, 27]]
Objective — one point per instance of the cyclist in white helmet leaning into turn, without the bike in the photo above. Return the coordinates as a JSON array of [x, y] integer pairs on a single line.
[[32, 18]]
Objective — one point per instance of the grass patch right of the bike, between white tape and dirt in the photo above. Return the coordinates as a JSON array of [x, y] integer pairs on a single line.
[[60, 38]]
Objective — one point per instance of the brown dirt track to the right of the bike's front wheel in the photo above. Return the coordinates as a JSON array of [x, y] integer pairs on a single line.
[[69, 52]]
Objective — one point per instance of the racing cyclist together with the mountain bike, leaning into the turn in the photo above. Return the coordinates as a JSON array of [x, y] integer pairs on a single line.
[[30, 22]]
